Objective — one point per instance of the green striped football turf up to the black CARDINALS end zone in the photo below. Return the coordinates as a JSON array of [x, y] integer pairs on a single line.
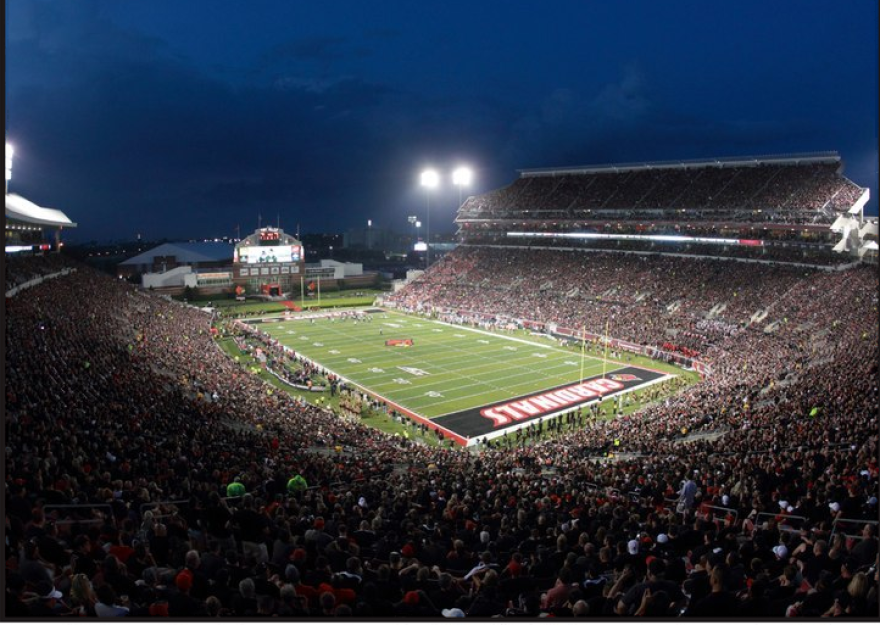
[[446, 370]]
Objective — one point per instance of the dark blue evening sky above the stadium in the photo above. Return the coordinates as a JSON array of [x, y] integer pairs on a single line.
[[183, 119]]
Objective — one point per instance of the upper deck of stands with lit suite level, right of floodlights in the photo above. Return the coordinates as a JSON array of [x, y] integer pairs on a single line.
[[782, 205]]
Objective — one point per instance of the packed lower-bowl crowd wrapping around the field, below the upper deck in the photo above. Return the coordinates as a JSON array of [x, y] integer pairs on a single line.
[[149, 474]]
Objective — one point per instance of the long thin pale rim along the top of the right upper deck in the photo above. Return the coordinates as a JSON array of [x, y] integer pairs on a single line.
[[735, 161]]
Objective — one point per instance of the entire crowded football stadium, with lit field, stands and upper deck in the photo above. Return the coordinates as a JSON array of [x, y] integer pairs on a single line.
[[636, 389]]
